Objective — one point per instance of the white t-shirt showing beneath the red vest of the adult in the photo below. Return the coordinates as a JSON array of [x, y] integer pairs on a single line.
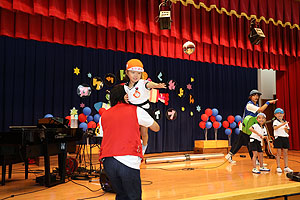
[[144, 119]]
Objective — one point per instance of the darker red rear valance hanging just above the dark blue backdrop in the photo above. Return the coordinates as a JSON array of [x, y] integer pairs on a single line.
[[49, 29]]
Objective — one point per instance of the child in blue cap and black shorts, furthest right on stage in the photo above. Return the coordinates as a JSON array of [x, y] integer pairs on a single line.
[[281, 134]]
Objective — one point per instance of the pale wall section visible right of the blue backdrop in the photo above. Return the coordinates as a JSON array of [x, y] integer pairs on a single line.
[[266, 83]]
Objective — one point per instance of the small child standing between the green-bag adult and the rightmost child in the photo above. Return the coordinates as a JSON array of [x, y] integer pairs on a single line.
[[259, 132]]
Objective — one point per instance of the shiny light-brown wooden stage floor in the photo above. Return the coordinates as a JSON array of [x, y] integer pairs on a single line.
[[190, 180]]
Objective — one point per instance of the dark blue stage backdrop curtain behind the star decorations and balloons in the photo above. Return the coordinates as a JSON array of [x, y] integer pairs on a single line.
[[37, 78]]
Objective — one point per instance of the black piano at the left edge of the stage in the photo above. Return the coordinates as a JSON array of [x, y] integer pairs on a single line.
[[23, 142]]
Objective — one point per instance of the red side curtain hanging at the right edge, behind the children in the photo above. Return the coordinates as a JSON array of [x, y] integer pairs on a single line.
[[288, 90]]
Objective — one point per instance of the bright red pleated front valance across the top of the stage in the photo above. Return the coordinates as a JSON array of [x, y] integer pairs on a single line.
[[189, 23]]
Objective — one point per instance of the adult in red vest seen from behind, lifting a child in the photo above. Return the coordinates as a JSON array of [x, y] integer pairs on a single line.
[[121, 148]]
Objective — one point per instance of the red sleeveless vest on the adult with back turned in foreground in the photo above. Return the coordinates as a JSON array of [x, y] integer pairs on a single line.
[[121, 132]]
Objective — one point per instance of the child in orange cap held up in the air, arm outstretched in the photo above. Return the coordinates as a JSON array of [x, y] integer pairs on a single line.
[[138, 92]]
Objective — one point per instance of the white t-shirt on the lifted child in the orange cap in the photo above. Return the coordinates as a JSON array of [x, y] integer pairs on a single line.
[[138, 94]]
